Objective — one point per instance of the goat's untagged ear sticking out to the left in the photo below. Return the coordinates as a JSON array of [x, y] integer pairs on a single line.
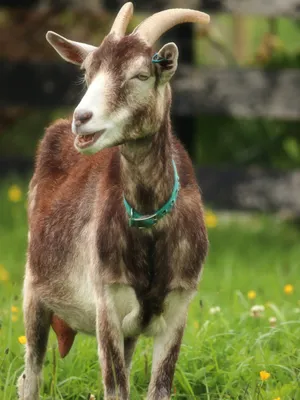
[[73, 52]]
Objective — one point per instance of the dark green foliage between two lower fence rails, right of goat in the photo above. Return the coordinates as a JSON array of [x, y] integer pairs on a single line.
[[266, 143]]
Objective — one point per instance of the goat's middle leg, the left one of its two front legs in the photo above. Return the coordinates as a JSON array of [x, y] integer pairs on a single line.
[[111, 350]]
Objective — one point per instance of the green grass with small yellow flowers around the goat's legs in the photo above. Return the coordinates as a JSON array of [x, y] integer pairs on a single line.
[[221, 355]]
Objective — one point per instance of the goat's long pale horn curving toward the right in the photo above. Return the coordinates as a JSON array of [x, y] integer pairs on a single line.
[[153, 27]]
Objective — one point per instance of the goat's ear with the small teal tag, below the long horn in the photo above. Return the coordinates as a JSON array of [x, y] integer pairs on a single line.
[[167, 67]]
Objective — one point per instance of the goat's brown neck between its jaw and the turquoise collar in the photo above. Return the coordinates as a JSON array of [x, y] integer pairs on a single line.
[[147, 171]]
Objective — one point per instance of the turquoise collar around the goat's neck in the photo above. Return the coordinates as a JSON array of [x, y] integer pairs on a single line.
[[147, 221]]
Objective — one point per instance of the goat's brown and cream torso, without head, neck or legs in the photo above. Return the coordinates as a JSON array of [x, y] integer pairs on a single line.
[[74, 241]]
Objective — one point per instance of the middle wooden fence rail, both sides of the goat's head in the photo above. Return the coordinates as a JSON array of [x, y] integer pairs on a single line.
[[237, 92]]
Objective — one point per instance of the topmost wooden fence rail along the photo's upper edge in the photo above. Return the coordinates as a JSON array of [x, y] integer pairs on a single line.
[[269, 8]]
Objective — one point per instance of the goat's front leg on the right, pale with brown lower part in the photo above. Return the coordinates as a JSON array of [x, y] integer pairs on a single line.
[[167, 345]]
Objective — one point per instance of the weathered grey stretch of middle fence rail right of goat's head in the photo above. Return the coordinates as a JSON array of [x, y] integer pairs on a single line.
[[237, 92]]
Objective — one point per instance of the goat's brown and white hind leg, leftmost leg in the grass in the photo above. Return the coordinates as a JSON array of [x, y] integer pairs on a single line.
[[37, 323]]
